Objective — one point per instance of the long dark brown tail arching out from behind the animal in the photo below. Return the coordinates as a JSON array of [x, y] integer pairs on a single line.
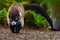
[[39, 10]]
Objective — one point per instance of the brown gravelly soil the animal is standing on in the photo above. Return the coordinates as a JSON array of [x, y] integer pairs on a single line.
[[27, 33]]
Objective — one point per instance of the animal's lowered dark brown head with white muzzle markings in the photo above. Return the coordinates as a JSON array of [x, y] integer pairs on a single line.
[[14, 16]]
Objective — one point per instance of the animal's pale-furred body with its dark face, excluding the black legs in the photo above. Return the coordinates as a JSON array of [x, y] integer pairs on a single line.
[[16, 14]]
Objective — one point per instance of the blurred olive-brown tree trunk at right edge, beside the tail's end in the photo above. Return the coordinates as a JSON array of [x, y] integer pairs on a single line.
[[55, 13]]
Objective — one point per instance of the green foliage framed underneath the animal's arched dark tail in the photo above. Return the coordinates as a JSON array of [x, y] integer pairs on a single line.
[[37, 19]]
